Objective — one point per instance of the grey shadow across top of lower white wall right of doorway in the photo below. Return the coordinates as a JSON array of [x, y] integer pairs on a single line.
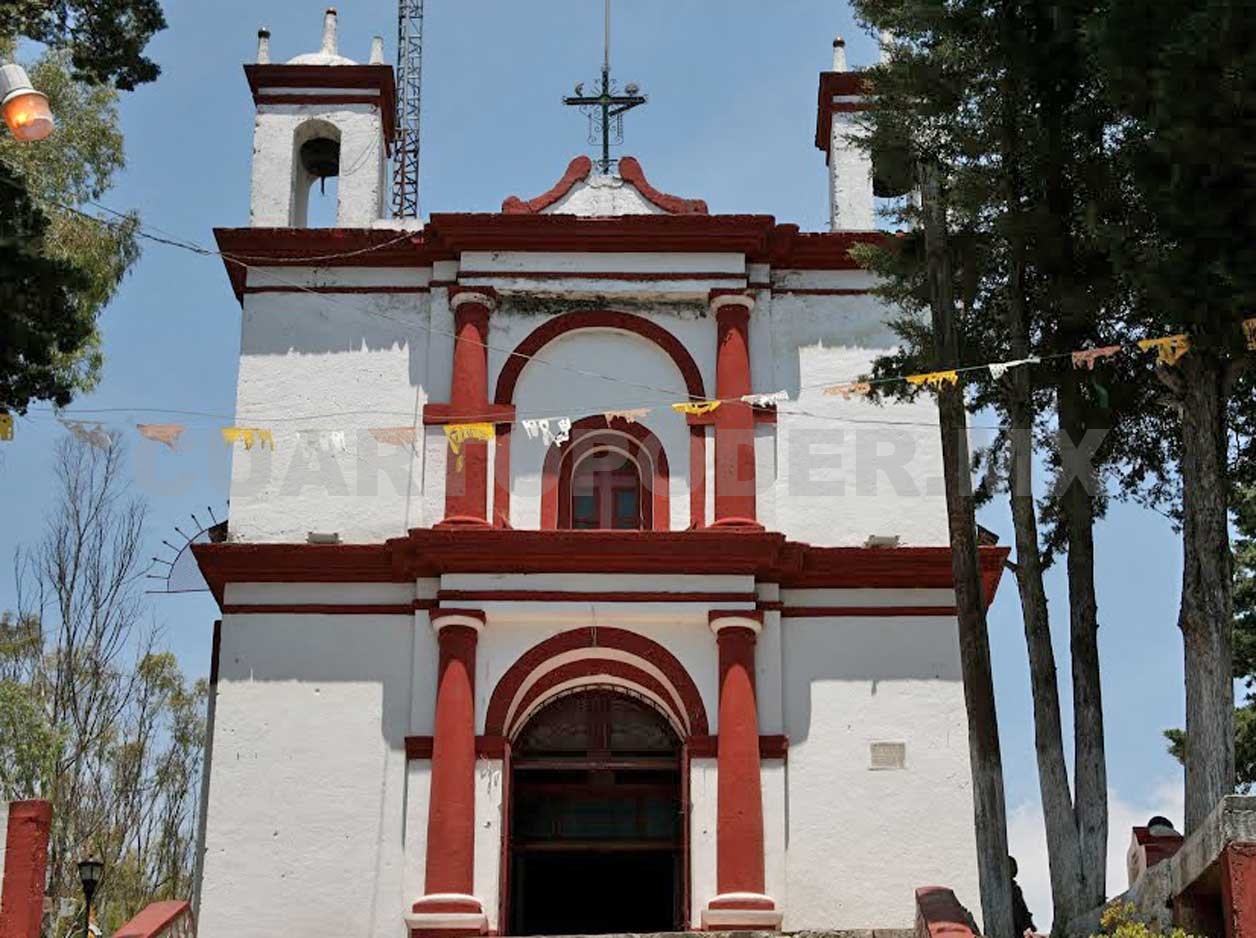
[[863, 654]]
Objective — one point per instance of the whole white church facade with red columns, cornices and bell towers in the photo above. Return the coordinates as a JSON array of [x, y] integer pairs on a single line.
[[580, 625]]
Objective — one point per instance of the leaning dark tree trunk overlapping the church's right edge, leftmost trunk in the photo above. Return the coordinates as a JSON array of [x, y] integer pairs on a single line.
[[990, 814]]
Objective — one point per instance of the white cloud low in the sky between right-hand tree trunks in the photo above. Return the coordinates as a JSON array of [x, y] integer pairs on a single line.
[[1027, 841]]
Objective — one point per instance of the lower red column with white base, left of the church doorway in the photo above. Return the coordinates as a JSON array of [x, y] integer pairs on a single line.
[[449, 905]]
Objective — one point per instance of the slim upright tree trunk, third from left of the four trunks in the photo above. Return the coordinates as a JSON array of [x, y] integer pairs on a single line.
[[1090, 760]]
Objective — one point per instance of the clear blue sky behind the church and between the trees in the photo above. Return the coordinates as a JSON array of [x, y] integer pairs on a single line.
[[732, 117]]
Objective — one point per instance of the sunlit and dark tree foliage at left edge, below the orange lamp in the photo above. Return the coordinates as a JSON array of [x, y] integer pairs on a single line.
[[58, 268]]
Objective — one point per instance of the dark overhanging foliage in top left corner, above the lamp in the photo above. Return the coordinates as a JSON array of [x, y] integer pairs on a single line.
[[106, 40]]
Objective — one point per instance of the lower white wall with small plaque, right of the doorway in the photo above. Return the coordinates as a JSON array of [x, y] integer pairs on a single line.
[[848, 684]]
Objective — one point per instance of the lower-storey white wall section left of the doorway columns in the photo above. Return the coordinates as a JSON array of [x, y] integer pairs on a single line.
[[307, 811]]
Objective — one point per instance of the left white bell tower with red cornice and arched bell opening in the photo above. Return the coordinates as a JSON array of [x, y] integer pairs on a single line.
[[321, 117]]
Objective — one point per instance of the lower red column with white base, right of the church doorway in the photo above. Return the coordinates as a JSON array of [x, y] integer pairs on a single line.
[[742, 903]]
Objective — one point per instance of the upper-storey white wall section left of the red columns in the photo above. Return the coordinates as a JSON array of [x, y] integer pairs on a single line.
[[337, 362]]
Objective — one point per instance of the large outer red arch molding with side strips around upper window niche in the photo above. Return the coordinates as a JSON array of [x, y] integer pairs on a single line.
[[600, 320]]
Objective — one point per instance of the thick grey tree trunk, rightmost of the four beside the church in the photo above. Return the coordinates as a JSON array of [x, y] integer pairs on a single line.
[[1206, 617]]
